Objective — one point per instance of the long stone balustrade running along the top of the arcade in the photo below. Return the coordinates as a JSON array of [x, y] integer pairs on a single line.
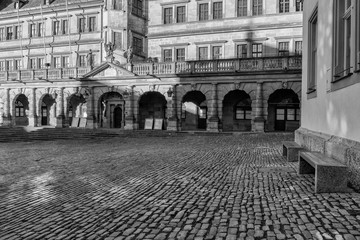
[[163, 68]]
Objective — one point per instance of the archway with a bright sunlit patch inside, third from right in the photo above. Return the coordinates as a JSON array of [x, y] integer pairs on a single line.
[[193, 111]]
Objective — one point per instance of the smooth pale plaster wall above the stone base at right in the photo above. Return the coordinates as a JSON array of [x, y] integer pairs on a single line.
[[337, 112]]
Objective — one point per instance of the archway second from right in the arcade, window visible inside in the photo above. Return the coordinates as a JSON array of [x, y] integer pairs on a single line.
[[237, 111]]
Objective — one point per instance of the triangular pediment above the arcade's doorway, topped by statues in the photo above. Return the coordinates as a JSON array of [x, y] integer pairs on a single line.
[[108, 69]]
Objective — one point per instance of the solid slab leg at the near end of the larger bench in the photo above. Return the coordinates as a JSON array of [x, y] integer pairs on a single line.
[[330, 179]]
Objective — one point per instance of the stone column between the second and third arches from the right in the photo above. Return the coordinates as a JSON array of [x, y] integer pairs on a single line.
[[213, 116]]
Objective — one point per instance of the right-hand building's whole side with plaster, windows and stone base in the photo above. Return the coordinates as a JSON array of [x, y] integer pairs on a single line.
[[331, 76]]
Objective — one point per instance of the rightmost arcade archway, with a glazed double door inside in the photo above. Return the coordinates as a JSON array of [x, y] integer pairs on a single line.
[[283, 111]]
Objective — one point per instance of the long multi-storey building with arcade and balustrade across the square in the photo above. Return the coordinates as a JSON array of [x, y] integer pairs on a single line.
[[176, 65]]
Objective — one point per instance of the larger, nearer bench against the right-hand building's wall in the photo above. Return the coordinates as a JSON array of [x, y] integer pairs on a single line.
[[330, 175]]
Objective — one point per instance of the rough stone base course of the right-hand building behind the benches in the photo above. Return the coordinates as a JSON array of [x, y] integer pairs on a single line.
[[343, 150]]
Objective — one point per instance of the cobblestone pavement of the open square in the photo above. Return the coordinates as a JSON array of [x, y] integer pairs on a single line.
[[176, 187]]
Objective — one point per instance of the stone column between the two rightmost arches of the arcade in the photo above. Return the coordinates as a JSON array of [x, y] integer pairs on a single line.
[[259, 121]]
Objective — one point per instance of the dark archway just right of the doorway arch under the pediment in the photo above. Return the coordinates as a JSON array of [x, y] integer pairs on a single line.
[[151, 105]]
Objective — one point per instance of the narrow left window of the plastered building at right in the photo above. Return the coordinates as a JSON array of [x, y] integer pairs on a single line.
[[313, 41]]
